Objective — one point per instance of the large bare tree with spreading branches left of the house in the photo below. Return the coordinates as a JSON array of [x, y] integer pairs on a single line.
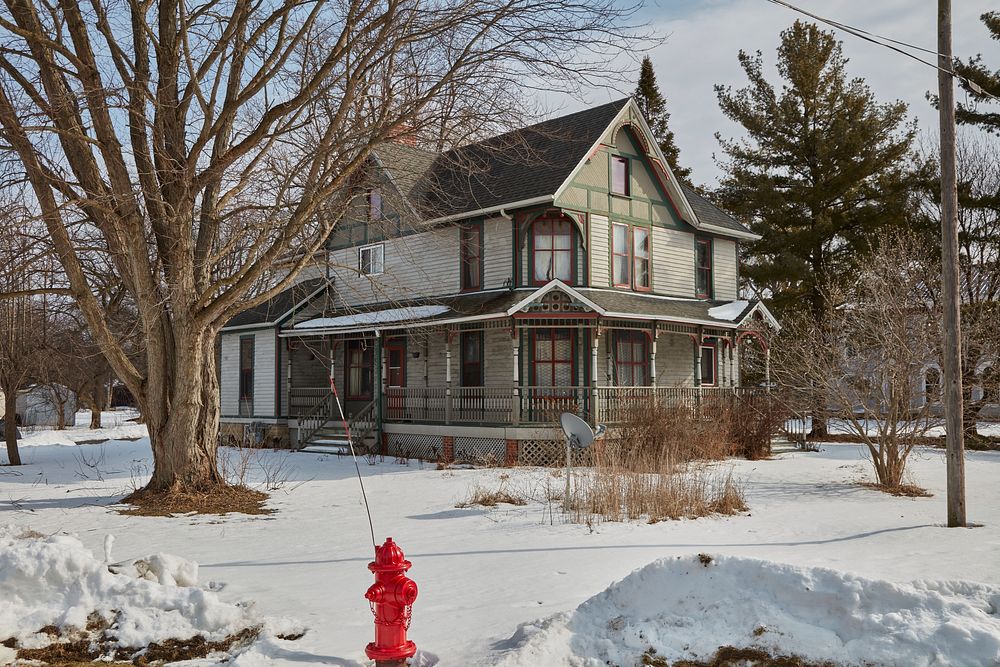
[[193, 144]]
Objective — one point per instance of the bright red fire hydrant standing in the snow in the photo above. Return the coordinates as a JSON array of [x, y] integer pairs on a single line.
[[391, 598]]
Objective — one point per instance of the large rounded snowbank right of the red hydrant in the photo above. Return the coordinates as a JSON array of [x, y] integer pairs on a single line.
[[684, 608]]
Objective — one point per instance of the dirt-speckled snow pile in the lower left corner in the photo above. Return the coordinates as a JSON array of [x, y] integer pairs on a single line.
[[46, 581]]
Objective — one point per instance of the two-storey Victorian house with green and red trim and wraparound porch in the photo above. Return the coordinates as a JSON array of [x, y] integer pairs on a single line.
[[478, 293]]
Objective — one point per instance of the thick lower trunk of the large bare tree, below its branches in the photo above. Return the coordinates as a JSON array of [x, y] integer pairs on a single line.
[[184, 423]]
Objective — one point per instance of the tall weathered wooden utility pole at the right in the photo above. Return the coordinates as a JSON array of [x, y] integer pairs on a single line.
[[950, 279]]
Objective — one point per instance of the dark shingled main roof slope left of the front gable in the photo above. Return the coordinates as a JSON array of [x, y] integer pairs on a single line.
[[523, 164]]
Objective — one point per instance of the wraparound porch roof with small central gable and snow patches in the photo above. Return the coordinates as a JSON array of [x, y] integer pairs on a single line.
[[502, 304]]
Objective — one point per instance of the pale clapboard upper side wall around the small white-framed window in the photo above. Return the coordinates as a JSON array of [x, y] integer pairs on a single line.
[[417, 265]]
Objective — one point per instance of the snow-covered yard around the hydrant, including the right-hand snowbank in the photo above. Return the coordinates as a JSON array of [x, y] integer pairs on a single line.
[[483, 574]]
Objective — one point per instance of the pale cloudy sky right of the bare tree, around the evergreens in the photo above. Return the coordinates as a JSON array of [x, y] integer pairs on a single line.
[[703, 38]]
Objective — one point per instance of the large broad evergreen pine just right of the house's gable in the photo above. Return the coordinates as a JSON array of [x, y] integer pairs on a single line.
[[823, 169]]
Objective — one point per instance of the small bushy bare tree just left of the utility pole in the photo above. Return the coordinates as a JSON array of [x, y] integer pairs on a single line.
[[867, 354]]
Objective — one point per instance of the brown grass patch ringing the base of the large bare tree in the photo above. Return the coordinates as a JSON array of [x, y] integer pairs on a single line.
[[223, 500]]
